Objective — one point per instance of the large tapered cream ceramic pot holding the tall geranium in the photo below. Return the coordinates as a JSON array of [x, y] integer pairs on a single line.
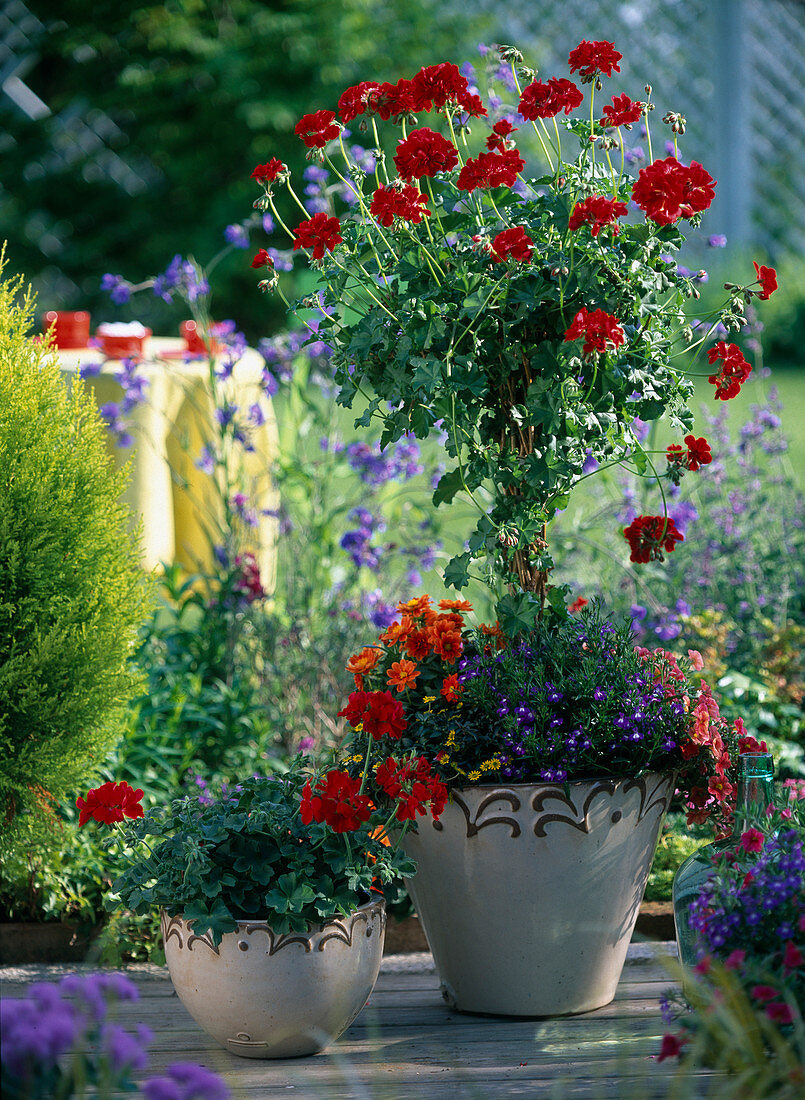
[[530, 895]]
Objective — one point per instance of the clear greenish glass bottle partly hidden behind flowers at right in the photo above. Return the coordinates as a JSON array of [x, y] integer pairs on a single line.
[[756, 791]]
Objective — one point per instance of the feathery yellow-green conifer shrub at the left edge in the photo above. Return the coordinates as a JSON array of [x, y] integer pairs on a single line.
[[72, 591]]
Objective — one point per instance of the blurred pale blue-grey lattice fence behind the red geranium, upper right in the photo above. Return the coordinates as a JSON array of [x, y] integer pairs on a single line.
[[736, 69]]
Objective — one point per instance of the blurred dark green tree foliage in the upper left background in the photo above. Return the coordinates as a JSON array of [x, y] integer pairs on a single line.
[[160, 112]]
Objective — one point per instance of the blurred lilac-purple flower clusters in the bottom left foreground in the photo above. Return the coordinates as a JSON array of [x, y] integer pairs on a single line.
[[62, 1040]]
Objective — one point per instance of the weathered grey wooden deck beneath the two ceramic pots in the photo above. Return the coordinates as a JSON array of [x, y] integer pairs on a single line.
[[407, 1044]]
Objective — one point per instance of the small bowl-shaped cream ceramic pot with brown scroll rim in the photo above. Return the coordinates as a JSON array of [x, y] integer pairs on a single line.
[[269, 996]]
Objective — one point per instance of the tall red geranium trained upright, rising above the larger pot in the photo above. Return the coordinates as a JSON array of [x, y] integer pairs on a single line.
[[524, 313]]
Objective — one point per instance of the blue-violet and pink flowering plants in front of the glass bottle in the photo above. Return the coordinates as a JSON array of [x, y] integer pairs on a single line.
[[751, 919]]
